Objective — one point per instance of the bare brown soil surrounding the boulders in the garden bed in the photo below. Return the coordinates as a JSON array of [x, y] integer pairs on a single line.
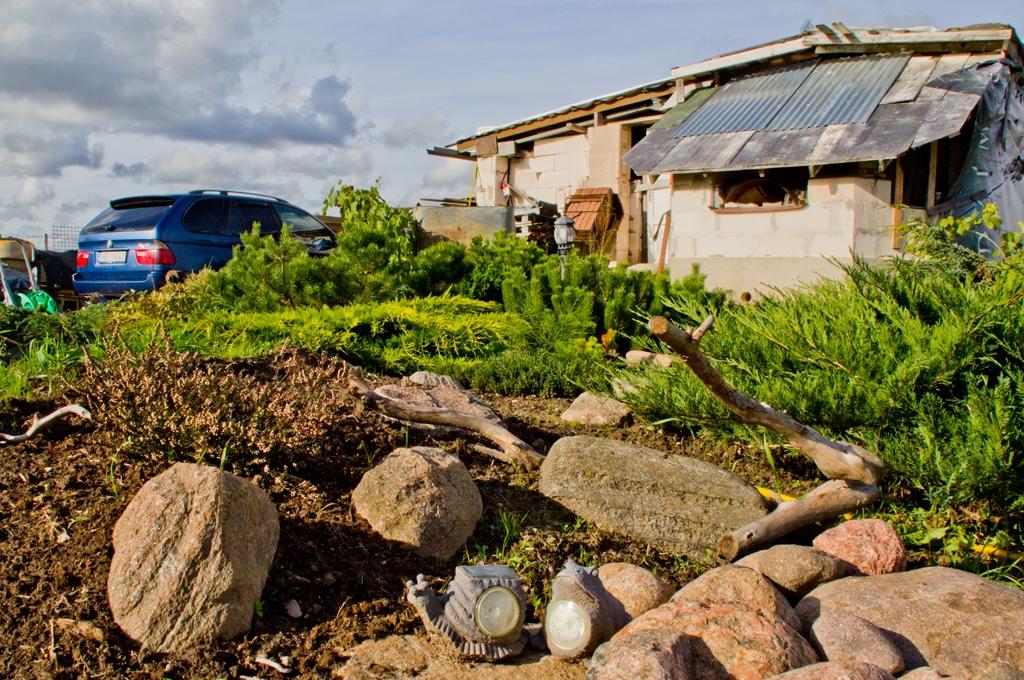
[[62, 493]]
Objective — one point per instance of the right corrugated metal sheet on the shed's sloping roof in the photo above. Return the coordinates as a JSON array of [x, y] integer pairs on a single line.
[[839, 92]]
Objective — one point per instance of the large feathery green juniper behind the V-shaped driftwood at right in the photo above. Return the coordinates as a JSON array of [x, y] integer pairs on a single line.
[[919, 360]]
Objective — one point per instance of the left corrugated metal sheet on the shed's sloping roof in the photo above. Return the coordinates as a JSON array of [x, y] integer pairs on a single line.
[[748, 104]]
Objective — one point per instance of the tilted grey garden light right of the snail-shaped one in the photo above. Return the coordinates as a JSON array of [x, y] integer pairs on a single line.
[[582, 614]]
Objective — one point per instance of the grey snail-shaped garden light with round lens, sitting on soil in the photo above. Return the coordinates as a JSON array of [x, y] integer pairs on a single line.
[[482, 614]]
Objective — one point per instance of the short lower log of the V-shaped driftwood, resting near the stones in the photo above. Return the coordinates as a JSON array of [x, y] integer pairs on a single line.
[[830, 500]]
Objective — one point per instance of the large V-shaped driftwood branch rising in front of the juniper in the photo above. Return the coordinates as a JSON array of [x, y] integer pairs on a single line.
[[855, 471]]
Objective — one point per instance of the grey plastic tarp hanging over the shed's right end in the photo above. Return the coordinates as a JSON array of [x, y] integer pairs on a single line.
[[994, 172]]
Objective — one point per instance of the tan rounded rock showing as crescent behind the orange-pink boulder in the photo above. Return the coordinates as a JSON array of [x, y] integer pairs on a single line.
[[741, 586]]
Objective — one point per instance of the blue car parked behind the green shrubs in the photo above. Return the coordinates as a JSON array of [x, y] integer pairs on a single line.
[[140, 242]]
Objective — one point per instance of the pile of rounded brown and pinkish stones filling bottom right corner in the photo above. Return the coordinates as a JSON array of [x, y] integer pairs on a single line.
[[844, 610]]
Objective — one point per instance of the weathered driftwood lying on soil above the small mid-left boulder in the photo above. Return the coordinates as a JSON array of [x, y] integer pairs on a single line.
[[513, 449]]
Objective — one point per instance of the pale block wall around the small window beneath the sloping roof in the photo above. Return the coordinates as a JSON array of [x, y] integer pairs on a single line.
[[747, 252]]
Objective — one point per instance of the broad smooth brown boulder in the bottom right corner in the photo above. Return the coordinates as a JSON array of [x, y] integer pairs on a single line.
[[952, 621]]
